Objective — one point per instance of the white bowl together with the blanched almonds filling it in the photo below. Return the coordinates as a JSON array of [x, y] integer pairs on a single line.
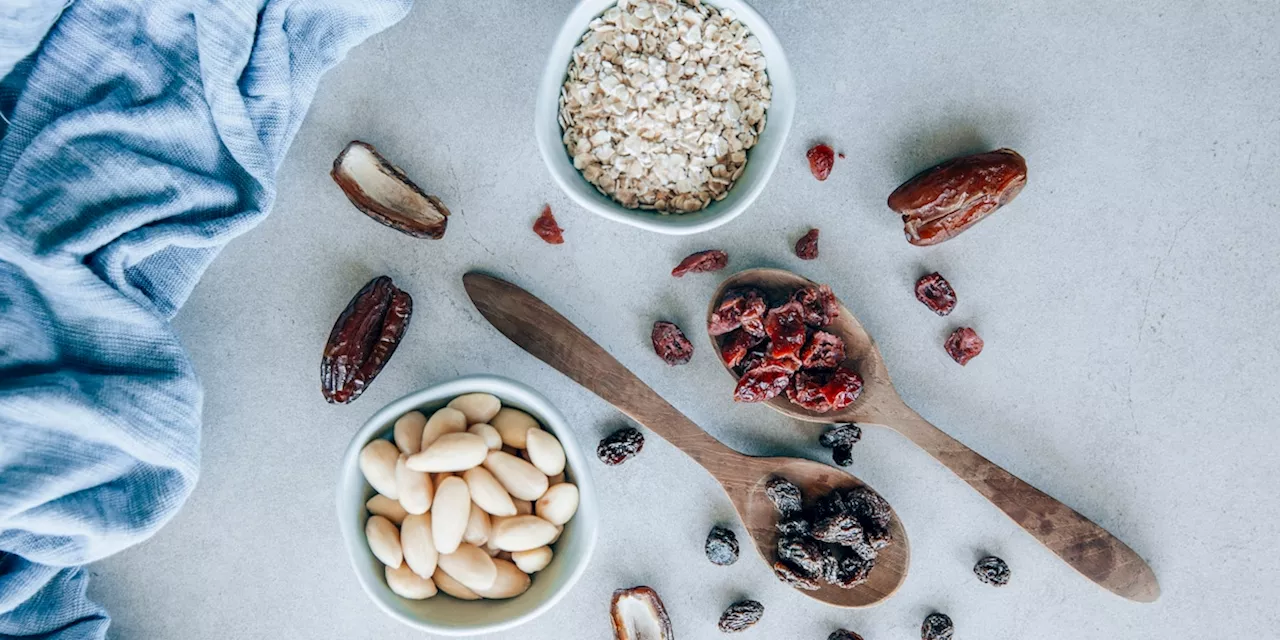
[[467, 508]]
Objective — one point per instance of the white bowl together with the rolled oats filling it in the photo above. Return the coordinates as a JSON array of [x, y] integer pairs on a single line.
[[665, 115]]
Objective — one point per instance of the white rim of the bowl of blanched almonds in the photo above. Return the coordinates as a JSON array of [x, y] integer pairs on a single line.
[[505, 390]]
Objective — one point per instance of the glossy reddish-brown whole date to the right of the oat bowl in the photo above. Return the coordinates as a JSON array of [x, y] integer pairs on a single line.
[[941, 203]]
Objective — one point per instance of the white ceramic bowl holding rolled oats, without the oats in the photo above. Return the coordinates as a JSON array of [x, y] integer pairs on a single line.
[[761, 161]]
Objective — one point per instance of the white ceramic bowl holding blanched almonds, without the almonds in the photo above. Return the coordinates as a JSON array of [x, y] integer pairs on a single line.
[[445, 615]]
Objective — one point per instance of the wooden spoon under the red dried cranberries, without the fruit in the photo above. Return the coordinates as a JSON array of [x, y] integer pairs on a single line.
[[1085, 546]]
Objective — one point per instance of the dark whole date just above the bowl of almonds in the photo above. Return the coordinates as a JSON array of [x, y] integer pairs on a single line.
[[363, 340]]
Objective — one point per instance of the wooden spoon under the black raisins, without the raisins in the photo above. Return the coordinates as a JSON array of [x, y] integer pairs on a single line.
[[548, 336]]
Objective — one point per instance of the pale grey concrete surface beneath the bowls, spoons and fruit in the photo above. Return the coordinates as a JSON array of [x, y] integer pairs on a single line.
[[1130, 303]]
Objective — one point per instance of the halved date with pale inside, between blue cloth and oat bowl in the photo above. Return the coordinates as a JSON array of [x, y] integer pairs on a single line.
[[383, 193]]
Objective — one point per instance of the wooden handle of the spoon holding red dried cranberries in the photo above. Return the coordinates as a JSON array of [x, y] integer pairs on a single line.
[[1085, 546]]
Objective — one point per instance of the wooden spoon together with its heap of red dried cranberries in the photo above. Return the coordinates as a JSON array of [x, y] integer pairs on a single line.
[[871, 399]]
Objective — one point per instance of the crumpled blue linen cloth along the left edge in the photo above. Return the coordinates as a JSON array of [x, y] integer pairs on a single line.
[[143, 136]]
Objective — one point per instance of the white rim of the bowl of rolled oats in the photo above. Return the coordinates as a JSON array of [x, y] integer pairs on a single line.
[[547, 107]]
